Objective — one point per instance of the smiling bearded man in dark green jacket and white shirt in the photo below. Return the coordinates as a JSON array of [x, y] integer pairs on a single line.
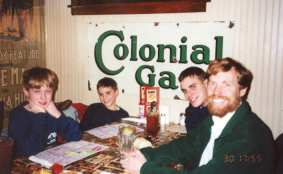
[[233, 140]]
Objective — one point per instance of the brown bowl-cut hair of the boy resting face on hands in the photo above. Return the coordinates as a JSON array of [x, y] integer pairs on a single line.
[[37, 77]]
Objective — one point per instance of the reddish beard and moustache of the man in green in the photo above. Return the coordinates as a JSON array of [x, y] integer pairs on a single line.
[[215, 109]]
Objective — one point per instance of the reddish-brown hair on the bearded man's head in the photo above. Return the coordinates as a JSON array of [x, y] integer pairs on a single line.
[[244, 77]]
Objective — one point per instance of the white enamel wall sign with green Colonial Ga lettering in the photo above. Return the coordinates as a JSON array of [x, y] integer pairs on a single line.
[[155, 53]]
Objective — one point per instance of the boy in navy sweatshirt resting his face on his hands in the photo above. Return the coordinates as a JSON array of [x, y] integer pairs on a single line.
[[35, 124]]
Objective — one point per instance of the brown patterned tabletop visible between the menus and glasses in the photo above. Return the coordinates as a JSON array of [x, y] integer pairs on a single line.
[[108, 160]]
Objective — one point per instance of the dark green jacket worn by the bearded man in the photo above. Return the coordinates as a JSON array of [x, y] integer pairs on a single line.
[[245, 146]]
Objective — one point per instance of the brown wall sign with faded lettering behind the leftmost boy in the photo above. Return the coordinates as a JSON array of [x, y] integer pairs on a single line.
[[22, 41]]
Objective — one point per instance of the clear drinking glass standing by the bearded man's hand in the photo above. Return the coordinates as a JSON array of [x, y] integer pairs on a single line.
[[126, 138]]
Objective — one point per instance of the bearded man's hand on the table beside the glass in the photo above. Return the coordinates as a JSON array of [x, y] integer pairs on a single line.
[[133, 162]]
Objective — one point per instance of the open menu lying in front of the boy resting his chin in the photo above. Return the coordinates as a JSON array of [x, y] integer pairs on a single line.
[[67, 153]]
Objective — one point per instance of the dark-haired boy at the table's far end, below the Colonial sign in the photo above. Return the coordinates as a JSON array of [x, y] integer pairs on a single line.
[[107, 111]]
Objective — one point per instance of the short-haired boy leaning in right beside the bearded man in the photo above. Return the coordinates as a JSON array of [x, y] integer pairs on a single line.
[[193, 85]]
